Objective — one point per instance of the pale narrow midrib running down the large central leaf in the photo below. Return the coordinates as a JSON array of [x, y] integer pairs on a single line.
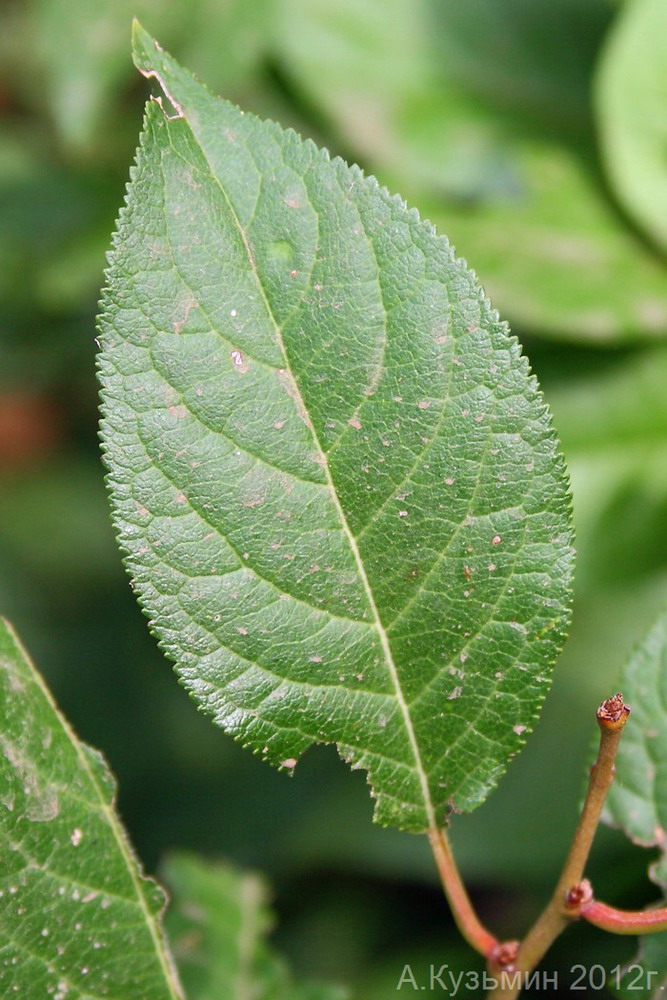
[[323, 459]]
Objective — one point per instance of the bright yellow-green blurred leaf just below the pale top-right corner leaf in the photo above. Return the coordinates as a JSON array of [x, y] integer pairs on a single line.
[[555, 256]]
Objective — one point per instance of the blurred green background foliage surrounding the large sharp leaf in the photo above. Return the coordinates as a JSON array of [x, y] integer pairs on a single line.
[[533, 134]]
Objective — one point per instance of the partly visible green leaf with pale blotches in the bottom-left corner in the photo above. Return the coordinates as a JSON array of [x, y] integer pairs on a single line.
[[77, 919]]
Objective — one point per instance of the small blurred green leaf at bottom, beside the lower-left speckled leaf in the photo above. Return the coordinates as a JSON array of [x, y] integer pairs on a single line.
[[217, 923]]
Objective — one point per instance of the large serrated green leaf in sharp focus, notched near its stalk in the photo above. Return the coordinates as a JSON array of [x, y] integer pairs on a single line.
[[335, 479]]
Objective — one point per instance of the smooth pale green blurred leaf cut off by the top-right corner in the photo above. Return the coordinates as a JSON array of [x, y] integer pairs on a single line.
[[631, 101]]
